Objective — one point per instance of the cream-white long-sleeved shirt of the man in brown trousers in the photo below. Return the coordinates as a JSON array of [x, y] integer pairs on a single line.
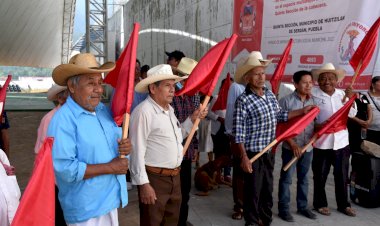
[[156, 136]]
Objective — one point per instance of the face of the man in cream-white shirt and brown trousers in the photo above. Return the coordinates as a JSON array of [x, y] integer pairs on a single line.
[[163, 93]]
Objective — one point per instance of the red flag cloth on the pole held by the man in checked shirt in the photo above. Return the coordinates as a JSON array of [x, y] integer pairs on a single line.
[[293, 127]]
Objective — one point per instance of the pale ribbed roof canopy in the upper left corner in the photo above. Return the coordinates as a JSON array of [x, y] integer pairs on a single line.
[[31, 32]]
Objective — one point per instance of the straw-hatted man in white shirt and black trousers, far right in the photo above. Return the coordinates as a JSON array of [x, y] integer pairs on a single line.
[[331, 149]]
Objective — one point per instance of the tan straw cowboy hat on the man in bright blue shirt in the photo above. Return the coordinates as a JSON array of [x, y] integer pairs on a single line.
[[83, 63]]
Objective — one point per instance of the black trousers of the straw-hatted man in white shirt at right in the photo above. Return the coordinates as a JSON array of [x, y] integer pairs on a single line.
[[323, 159]]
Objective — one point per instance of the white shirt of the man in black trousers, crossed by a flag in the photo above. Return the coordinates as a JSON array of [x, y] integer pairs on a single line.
[[328, 106]]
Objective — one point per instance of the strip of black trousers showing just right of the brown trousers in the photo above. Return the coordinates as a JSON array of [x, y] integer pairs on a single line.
[[185, 190]]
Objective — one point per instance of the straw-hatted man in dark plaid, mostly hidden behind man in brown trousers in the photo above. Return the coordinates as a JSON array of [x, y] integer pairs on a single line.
[[184, 106]]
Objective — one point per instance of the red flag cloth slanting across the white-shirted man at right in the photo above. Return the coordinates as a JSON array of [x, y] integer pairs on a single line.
[[337, 121]]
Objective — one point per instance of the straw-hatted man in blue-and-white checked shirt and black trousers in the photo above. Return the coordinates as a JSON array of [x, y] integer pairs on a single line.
[[254, 126]]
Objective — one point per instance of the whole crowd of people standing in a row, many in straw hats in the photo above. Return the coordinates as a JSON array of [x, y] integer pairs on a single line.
[[88, 151]]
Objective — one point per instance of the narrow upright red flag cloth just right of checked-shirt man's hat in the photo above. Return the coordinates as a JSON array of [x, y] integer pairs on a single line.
[[279, 72]]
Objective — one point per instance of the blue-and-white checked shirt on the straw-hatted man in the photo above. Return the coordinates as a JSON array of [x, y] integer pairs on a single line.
[[255, 119]]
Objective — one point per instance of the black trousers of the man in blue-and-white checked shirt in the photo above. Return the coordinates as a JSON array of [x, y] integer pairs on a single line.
[[258, 189]]
